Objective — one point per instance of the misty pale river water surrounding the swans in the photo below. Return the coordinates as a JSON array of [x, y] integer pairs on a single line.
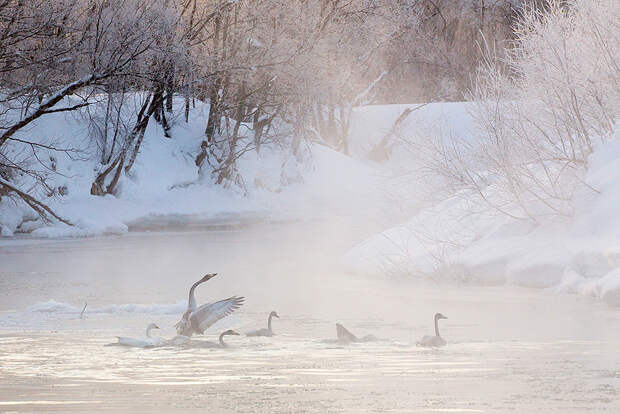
[[509, 349]]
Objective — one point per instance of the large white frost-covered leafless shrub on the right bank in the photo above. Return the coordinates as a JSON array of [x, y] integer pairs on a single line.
[[540, 109]]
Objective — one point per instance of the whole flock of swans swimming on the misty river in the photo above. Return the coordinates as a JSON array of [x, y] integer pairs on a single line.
[[196, 319]]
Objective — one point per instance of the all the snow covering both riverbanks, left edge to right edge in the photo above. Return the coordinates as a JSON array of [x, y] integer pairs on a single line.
[[422, 230]]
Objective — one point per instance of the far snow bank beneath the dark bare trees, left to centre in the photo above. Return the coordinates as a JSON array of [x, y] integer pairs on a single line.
[[165, 184]]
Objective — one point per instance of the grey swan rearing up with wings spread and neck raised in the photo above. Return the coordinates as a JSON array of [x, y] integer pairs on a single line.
[[197, 319]]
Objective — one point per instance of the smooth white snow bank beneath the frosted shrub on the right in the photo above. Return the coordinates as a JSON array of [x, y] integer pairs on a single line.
[[458, 239]]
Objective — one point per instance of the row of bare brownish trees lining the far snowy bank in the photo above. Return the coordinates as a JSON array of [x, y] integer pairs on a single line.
[[272, 71]]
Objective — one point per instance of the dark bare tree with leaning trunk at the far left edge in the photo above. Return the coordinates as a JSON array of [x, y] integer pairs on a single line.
[[48, 52]]
